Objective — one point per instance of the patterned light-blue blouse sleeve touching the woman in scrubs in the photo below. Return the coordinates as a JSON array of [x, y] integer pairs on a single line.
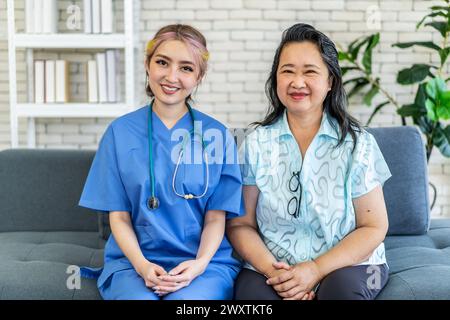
[[248, 160]]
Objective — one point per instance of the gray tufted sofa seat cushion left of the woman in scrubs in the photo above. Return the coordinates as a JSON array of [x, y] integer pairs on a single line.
[[34, 265]]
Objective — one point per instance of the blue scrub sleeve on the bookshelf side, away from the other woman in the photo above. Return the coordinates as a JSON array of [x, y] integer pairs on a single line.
[[104, 189]]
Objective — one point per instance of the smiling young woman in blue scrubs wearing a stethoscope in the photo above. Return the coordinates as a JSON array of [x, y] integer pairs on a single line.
[[167, 201]]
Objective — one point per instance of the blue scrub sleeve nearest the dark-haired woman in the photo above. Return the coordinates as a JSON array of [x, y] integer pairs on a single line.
[[227, 195]]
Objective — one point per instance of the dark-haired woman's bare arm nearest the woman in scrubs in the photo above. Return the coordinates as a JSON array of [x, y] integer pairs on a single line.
[[243, 235]]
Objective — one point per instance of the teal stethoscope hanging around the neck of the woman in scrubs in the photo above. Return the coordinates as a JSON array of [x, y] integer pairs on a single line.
[[153, 201]]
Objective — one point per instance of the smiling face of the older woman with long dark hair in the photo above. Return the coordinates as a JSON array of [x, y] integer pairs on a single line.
[[302, 78]]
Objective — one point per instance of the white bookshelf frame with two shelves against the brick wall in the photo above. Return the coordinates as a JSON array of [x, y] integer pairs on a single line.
[[126, 41]]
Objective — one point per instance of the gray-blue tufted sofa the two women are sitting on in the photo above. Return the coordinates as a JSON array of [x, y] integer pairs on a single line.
[[43, 232]]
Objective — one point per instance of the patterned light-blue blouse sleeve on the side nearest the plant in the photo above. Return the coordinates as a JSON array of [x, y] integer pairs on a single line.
[[369, 169]]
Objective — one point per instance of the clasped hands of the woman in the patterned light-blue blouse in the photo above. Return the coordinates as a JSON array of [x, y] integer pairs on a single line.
[[295, 282]]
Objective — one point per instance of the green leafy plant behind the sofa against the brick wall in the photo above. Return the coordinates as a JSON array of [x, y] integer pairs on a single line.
[[431, 105]]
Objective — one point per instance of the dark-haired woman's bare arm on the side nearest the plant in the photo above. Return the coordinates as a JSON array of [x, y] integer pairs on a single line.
[[358, 246]]
